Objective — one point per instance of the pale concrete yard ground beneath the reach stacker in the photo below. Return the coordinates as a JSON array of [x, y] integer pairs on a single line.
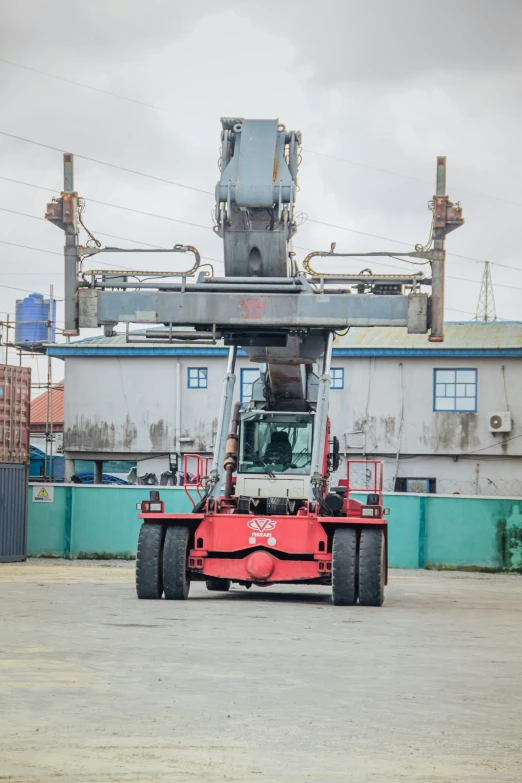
[[272, 685]]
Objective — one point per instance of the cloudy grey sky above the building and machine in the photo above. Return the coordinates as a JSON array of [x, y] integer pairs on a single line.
[[378, 89]]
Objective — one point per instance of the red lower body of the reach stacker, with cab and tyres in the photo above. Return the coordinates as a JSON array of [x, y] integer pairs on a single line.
[[263, 530]]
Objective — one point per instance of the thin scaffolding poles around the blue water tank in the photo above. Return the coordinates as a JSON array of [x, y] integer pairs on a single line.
[[36, 350]]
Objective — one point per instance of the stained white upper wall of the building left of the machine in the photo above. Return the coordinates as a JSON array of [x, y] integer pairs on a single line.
[[127, 406]]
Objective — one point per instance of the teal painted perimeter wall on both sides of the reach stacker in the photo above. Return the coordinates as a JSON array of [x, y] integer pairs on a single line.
[[424, 531]]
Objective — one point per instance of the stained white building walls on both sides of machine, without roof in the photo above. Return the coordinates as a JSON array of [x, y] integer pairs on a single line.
[[126, 407]]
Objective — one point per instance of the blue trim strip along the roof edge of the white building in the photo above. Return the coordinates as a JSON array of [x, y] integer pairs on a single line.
[[61, 352]]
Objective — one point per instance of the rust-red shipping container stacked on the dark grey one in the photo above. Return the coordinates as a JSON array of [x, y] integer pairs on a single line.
[[15, 398]]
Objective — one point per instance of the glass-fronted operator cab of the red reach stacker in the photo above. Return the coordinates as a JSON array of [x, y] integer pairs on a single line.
[[275, 454]]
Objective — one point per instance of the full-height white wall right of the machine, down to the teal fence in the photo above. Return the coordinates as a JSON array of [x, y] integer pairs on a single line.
[[455, 448]]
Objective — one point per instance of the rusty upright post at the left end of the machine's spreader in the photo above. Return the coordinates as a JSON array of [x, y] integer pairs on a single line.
[[70, 221]]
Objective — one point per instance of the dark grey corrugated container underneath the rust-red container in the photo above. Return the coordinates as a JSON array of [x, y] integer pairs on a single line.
[[13, 512]]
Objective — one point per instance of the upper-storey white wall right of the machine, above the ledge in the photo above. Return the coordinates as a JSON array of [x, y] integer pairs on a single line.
[[373, 407]]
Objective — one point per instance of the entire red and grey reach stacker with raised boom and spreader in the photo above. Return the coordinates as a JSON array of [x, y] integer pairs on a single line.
[[273, 507]]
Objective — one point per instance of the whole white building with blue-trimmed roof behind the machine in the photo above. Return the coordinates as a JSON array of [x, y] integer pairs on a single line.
[[424, 408]]
